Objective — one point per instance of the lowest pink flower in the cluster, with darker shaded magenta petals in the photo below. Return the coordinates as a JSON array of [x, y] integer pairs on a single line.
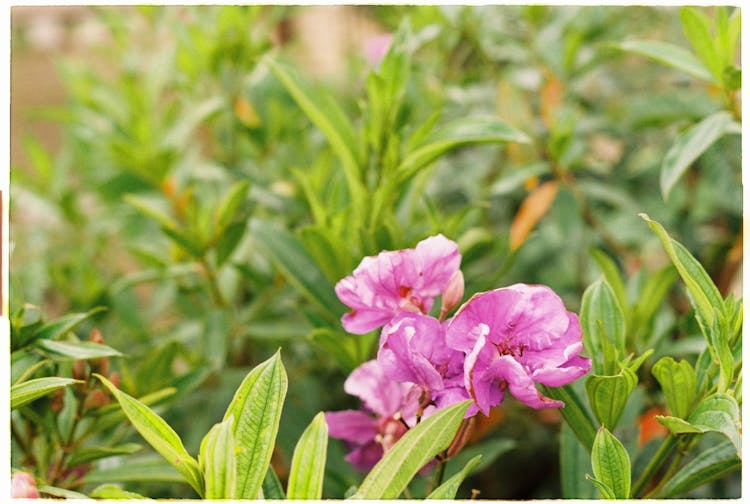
[[372, 432]]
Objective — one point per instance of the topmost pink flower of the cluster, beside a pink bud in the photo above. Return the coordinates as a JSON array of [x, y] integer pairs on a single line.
[[398, 281]]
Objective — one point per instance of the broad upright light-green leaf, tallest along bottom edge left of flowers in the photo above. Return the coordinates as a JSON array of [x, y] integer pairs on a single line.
[[256, 408]]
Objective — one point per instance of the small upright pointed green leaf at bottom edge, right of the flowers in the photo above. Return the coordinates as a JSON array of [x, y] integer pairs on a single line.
[[611, 464]]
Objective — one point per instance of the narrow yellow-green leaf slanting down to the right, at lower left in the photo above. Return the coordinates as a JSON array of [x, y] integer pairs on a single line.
[[159, 435]]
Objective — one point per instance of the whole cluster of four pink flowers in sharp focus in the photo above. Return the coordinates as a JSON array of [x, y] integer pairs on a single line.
[[507, 339]]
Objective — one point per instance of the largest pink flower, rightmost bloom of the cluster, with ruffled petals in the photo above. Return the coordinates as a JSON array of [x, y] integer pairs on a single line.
[[514, 338]]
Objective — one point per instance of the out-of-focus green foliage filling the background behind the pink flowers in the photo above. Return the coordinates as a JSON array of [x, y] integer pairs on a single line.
[[177, 180]]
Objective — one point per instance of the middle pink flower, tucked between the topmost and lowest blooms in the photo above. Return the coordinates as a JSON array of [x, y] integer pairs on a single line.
[[413, 350]]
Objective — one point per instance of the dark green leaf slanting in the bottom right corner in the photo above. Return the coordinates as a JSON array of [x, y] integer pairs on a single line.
[[707, 466]]
